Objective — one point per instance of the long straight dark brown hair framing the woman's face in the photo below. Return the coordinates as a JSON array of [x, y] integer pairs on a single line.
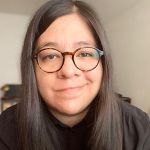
[[33, 130]]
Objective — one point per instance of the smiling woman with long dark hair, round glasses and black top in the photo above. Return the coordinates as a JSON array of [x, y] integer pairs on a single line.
[[68, 102]]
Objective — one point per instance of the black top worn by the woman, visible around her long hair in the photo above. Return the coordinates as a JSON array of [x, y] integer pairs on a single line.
[[136, 130]]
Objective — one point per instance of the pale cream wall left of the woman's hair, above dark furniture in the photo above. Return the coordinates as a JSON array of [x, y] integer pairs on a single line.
[[12, 30]]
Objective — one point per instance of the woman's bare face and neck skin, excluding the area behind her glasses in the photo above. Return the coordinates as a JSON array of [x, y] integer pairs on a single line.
[[69, 92]]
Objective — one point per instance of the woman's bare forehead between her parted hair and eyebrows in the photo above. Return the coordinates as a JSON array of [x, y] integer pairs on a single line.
[[68, 30]]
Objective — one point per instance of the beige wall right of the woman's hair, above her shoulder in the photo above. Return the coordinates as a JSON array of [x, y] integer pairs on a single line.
[[129, 37]]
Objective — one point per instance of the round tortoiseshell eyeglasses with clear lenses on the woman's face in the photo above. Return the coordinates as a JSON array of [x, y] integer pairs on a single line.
[[51, 60]]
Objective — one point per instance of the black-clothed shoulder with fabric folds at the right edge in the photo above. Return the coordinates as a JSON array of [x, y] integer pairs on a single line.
[[136, 127]]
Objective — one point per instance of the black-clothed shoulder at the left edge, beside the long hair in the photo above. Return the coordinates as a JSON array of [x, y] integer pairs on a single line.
[[8, 127]]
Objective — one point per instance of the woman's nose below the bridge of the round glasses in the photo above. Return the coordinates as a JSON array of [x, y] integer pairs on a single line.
[[68, 69]]
